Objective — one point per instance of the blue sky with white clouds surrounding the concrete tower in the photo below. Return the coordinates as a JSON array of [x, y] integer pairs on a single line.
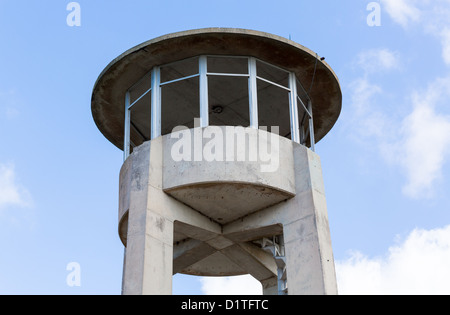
[[385, 163]]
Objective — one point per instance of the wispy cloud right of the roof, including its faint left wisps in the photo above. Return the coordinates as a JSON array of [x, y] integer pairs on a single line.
[[418, 143]]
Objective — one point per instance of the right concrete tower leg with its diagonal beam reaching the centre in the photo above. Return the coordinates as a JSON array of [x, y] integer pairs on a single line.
[[304, 220]]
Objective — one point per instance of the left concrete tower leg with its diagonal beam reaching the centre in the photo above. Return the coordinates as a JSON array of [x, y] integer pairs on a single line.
[[149, 219]]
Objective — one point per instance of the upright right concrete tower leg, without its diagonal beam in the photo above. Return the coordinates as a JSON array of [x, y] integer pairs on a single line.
[[309, 257]]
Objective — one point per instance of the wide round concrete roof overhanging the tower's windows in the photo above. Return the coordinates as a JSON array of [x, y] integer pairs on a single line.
[[108, 95]]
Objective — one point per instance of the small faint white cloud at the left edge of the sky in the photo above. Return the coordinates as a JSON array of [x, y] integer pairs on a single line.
[[11, 192]]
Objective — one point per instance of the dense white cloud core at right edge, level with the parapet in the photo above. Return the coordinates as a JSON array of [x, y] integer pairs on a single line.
[[423, 144]]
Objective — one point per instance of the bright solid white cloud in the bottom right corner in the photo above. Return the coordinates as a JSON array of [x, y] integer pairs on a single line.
[[418, 265]]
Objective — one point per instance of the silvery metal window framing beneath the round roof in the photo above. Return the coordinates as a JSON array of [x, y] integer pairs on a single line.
[[300, 105]]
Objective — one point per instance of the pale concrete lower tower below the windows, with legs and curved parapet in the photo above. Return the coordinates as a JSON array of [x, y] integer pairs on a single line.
[[225, 216]]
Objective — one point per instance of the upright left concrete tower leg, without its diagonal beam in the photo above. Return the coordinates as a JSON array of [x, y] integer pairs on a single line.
[[149, 255]]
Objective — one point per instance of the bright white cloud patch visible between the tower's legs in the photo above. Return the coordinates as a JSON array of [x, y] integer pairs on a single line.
[[238, 285]]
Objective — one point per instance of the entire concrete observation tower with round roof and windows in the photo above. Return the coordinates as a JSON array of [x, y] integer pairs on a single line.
[[220, 178]]
